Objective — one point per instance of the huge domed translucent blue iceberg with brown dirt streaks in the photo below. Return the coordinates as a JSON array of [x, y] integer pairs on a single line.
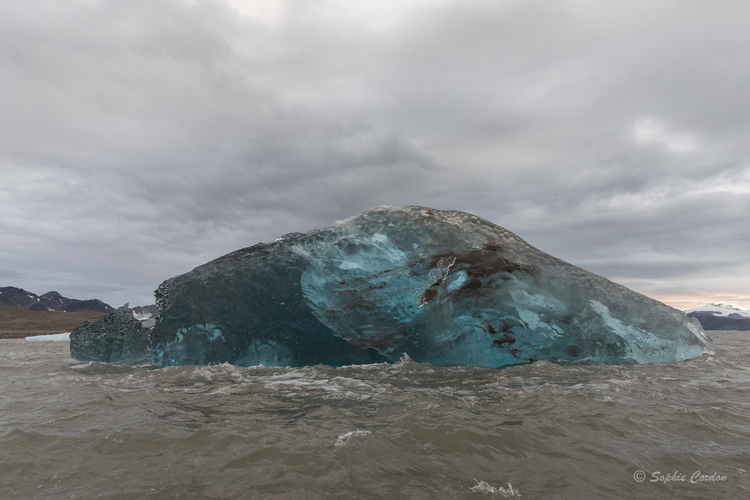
[[443, 286]]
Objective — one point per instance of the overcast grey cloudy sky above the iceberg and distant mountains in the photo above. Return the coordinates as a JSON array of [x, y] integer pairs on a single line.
[[141, 138]]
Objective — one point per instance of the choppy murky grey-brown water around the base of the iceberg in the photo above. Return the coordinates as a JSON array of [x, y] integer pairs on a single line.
[[406, 430]]
